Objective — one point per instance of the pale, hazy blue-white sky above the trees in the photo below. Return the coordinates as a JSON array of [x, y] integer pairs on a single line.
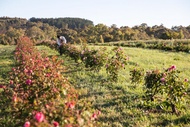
[[108, 12]]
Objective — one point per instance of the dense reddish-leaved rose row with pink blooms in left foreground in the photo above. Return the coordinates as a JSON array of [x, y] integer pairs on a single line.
[[38, 95]]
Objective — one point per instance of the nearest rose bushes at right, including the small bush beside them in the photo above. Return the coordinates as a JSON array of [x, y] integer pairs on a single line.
[[164, 88]]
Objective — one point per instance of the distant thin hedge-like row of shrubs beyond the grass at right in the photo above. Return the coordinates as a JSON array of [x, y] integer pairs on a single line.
[[167, 45]]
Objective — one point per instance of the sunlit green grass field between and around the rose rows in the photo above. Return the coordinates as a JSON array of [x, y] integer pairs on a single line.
[[121, 102]]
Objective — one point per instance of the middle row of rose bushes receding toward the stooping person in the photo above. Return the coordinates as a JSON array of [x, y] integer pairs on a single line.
[[96, 59]]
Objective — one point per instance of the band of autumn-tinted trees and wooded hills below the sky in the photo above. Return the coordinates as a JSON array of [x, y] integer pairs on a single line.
[[78, 30]]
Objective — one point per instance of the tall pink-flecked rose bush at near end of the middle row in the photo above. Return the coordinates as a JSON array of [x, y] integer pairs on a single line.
[[115, 63]]
